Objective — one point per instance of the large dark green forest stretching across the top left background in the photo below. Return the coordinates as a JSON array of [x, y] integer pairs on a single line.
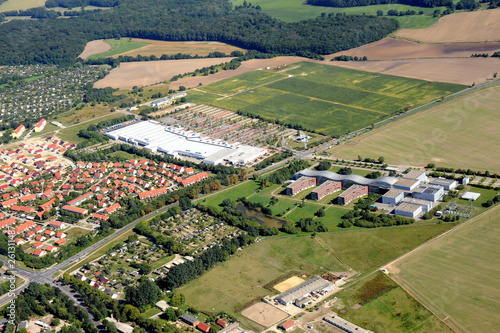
[[57, 41]]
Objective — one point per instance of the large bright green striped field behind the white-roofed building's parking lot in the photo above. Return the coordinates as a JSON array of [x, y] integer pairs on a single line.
[[309, 93]]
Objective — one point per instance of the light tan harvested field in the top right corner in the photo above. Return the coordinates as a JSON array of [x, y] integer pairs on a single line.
[[481, 26]]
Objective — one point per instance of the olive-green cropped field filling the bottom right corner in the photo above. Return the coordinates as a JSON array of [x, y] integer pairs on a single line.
[[456, 276]]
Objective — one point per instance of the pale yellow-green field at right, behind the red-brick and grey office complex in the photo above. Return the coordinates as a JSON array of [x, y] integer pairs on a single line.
[[460, 133]]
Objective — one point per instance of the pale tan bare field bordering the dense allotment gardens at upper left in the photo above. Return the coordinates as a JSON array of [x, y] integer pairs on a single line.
[[145, 73]]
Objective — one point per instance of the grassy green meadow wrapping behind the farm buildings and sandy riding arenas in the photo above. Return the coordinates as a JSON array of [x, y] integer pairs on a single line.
[[240, 280]]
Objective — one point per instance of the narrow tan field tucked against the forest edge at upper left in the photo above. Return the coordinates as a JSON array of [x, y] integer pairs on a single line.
[[158, 48]]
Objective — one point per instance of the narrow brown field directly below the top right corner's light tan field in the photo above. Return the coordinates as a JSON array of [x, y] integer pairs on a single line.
[[394, 49]]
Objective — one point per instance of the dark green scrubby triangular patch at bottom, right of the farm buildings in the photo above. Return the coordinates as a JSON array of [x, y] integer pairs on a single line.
[[388, 309]]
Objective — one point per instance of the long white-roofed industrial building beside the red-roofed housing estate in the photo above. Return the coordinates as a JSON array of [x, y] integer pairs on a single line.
[[175, 141]]
